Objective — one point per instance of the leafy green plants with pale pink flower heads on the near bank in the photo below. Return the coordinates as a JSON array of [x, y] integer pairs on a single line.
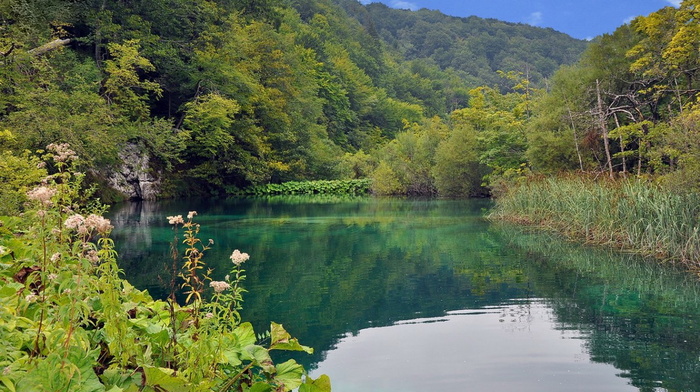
[[69, 322]]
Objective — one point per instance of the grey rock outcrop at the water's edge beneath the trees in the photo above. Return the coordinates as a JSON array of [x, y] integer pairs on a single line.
[[134, 177]]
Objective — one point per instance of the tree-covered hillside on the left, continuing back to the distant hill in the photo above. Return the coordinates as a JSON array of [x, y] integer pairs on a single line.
[[182, 97]]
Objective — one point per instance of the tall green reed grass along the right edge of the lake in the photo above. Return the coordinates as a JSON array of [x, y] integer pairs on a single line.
[[630, 214]]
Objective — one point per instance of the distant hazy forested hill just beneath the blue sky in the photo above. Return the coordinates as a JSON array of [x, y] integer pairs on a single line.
[[474, 46]]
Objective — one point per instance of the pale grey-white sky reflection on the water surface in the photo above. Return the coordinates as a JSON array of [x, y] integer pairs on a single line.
[[511, 347]]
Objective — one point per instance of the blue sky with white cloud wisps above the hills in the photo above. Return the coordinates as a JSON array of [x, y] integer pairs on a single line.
[[583, 19]]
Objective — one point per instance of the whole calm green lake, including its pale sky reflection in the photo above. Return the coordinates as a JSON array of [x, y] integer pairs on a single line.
[[415, 295]]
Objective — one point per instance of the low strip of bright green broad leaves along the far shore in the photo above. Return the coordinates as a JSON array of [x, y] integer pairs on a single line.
[[319, 187]]
